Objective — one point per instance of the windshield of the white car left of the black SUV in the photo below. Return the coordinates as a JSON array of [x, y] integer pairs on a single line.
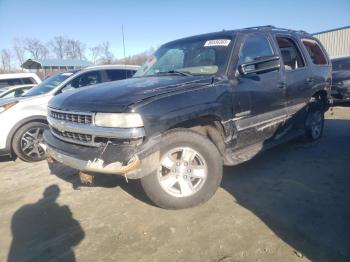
[[48, 84]]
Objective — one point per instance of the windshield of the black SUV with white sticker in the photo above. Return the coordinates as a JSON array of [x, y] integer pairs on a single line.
[[189, 57]]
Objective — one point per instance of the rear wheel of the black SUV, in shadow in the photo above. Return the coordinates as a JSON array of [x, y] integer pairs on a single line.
[[314, 122]]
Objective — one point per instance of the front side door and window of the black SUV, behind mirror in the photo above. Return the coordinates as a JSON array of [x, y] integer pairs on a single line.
[[266, 98]]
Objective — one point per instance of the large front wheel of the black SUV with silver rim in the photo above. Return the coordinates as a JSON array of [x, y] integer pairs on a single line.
[[189, 171]]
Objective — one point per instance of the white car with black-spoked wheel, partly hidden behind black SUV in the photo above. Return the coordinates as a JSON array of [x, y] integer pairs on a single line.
[[23, 119]]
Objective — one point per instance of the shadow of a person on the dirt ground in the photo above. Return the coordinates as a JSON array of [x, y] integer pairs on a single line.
[[44, 231]]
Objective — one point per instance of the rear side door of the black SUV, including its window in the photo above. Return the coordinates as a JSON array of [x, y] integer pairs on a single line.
[[297, 75]]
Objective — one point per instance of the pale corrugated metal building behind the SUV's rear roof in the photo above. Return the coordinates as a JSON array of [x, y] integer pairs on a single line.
[[336, 41]]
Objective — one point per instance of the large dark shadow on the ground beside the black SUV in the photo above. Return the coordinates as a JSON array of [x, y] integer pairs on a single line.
[[301, 191]]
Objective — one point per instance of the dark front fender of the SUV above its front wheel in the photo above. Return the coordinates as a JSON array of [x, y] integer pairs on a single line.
[[167, 111]]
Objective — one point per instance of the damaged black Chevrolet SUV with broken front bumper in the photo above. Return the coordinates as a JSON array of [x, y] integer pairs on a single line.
[[198, 103]]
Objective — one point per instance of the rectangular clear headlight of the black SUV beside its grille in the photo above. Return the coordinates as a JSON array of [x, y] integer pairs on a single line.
[[121, 120]]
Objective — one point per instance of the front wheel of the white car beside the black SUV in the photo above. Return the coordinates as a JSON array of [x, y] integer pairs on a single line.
[[28, 143]]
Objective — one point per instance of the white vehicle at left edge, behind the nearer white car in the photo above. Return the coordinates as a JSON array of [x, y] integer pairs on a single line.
[[18, 79]]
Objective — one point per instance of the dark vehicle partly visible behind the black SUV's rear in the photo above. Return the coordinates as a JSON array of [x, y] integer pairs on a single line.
[[341, 79]]
